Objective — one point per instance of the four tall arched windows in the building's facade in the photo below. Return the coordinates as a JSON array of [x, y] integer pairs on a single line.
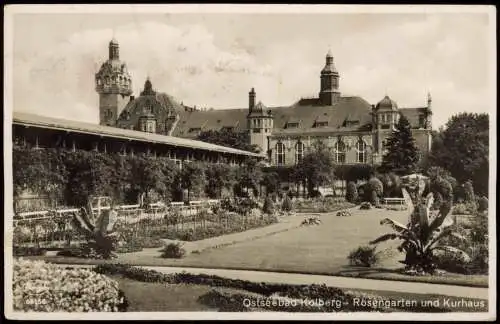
[[339, 152]]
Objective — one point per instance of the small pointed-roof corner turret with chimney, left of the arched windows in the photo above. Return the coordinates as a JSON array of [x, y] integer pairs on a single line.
[[259, 122]]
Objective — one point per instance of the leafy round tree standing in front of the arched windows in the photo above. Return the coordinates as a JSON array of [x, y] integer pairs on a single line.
[[316, 168]]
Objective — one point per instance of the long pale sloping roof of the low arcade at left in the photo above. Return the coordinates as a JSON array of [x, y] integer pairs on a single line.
[[88, 128]]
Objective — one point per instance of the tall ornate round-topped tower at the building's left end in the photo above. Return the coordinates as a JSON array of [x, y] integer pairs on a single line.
[[114, 86]]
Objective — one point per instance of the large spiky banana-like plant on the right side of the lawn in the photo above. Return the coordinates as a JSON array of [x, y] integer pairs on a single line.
[[424, 234]]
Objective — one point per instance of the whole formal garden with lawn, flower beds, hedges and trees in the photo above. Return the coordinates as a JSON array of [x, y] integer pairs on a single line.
[[407, 220]]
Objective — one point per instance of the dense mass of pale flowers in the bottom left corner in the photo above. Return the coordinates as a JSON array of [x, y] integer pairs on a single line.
[[43, 287]]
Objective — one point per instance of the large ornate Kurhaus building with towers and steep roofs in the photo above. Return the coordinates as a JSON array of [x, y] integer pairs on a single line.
[[352, 128]]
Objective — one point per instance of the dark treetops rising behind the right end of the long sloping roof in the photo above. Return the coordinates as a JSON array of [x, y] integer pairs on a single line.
[[229, 138]]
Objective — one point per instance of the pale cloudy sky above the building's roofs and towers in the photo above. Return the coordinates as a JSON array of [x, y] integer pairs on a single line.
[[212, 60]]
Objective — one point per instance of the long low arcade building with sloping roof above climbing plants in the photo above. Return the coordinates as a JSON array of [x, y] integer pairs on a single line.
[[41, 131]]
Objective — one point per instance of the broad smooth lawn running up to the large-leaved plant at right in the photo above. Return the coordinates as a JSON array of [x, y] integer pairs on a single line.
[[321, 249]]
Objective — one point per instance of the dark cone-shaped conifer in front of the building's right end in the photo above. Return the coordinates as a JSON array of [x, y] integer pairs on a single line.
[[402, 155]]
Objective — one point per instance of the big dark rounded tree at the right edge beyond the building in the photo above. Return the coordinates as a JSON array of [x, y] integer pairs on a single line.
[[462, 147]]
